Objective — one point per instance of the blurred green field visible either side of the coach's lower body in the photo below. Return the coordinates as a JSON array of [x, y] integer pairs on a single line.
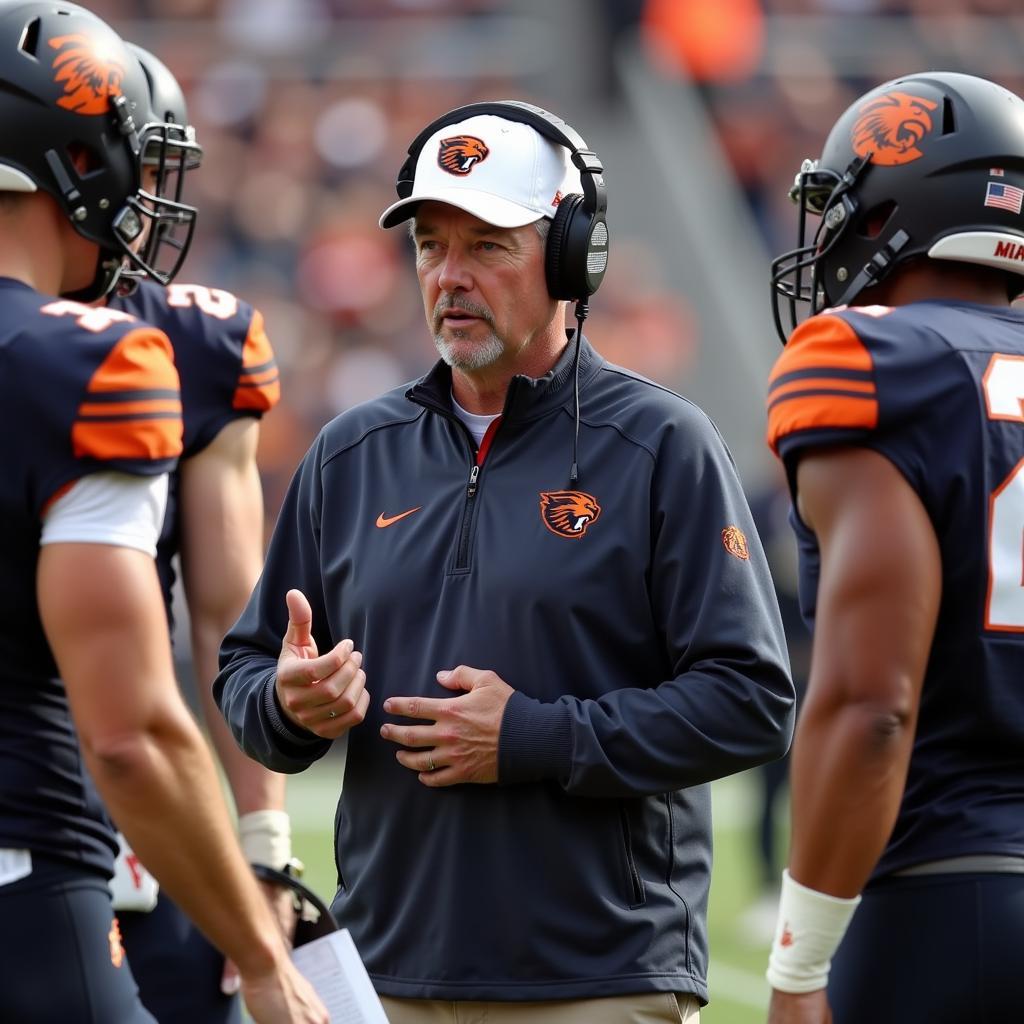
[[739, 992]]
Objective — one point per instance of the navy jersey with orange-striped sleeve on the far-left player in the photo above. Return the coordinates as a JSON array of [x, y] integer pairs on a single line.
[[82, 391]]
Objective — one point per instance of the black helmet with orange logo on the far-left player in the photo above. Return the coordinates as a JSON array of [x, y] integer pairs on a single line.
[[73, 104]]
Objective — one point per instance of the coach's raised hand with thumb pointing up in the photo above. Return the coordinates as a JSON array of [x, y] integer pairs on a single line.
[[325, 694]]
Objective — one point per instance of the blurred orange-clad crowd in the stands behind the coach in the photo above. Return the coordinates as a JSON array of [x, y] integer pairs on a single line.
[[306, 108]]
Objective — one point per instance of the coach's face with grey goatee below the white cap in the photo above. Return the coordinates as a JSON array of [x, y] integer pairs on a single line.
[[484, 288]]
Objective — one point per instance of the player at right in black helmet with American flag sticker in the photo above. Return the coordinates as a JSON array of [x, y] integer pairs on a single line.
[[898, 411]]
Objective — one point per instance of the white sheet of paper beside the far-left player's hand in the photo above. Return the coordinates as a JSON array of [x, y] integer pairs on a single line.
[[333, 967]]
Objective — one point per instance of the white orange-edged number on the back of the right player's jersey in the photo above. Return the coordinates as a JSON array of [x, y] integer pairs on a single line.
[[1004, 388]]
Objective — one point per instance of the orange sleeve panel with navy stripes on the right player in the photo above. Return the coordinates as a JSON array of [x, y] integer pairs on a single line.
[[824, 379]]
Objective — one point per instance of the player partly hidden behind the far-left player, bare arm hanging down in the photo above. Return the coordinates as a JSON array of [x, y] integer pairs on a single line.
[[216, 523]]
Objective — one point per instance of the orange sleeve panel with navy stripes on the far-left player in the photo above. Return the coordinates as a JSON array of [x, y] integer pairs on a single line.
[[133, 410]]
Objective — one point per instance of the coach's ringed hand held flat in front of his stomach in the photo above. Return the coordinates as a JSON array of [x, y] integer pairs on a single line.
[[461, 743]]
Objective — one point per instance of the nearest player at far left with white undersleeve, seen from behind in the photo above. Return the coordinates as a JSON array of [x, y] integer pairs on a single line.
[[91, 409]]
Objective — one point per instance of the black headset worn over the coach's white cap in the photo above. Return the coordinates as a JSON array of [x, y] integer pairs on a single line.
[[577, 252]]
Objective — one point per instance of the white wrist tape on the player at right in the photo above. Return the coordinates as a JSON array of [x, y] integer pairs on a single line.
[[810, 927]]
